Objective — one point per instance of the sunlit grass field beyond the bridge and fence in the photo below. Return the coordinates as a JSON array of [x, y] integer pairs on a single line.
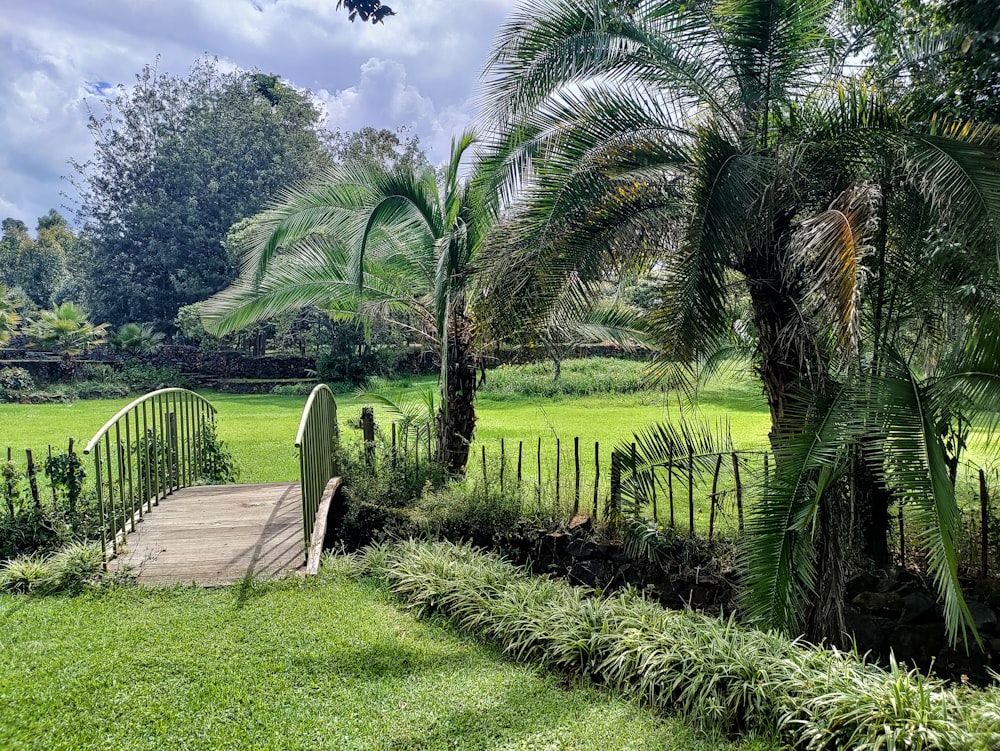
[[260, 429]]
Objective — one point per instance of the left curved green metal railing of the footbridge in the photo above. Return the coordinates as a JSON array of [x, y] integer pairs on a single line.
[[152, 447]]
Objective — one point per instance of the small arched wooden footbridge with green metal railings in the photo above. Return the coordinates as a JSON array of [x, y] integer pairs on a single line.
[[168, 529]]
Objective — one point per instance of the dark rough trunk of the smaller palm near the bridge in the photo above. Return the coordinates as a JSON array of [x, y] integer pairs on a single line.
[[456, 421]]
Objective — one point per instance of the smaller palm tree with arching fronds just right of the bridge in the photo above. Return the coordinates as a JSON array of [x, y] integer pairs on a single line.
[[367, 241]]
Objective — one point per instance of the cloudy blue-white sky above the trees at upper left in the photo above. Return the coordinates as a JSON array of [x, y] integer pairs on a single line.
[[419, 69]]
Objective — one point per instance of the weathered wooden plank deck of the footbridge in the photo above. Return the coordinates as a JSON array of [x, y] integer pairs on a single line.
[[217, 534]]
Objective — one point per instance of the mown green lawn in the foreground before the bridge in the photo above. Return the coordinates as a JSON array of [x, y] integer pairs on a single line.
[[328, 663]]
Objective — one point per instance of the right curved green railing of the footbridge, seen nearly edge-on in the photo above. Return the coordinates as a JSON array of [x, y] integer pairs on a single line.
[[316, 441]]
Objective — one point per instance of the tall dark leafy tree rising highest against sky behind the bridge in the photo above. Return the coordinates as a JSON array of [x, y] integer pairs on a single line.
[[177, 162]]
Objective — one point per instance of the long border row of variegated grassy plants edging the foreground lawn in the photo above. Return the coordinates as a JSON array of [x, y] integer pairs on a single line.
[[716, 672]]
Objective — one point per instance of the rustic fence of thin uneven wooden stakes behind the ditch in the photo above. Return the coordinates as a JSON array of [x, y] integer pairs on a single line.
[[692, 493]]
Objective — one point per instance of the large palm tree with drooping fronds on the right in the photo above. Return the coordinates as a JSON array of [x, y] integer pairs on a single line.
[[731, 141]]
